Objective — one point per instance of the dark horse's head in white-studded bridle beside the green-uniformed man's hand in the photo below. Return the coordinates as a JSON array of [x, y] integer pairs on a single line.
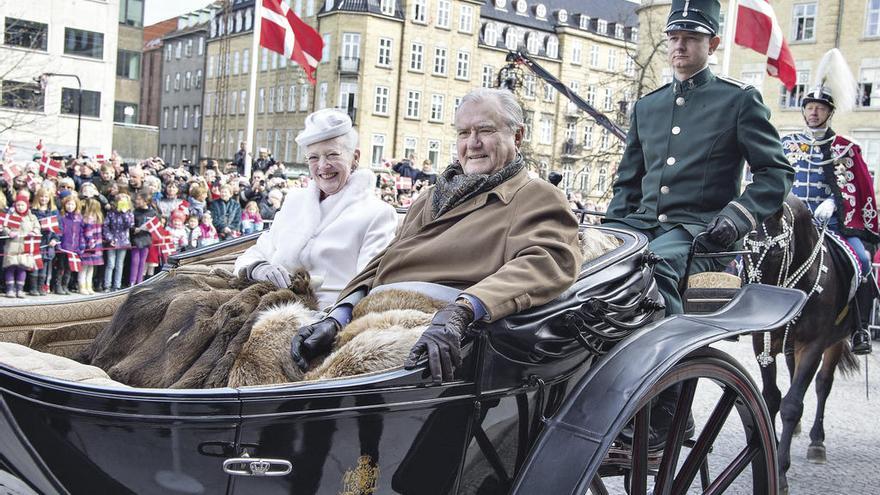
[[772, 246]]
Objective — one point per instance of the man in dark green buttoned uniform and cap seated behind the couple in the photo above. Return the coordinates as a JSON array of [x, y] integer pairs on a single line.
[[681, 171]]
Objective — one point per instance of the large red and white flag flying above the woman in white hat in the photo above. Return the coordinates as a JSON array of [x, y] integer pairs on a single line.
[[283, 32]]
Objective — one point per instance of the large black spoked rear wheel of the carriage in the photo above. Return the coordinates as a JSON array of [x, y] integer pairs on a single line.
[[674, 470]]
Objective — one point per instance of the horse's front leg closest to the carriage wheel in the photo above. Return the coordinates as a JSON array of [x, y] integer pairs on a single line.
[[807, 357]]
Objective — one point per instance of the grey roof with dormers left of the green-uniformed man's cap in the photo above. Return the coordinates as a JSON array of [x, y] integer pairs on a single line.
[[613, 11]]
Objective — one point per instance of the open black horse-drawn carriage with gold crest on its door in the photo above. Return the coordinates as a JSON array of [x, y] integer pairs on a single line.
[[538, 407]]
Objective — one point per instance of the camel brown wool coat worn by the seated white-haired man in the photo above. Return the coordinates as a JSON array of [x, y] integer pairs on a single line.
[[513, 247]]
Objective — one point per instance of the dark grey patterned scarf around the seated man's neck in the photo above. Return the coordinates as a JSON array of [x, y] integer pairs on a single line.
[[454, 187]]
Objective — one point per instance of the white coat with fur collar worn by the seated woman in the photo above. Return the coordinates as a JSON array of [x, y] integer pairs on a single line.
[[332, 239]]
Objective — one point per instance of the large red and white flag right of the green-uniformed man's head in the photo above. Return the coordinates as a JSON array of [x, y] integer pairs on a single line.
[[758, 29]]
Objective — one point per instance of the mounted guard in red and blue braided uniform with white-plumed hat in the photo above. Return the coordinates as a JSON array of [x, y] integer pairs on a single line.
[[831, 176]]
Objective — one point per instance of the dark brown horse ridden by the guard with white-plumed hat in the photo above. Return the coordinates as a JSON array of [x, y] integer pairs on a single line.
[[789, 250]]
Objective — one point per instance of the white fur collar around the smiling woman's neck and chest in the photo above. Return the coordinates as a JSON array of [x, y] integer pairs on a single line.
[[303, 215]]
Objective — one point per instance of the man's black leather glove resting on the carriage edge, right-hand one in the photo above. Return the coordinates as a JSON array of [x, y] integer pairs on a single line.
[[442, 342]]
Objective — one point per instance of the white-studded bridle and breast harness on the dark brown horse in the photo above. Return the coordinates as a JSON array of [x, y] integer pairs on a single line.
[[787, 277]]
